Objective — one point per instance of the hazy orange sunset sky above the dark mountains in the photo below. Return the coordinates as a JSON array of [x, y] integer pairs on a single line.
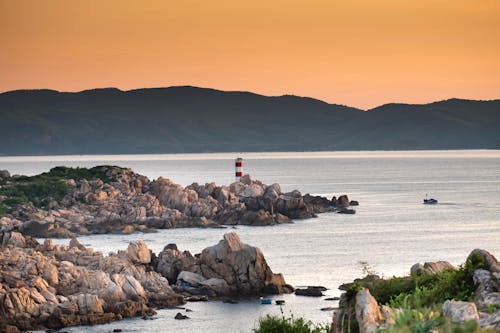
[[359, 53]]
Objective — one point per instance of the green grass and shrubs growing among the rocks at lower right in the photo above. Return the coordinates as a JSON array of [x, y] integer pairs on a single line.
[[419, 299]]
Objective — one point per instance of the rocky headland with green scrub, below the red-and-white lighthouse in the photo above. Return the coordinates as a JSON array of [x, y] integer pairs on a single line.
[[67, 202]]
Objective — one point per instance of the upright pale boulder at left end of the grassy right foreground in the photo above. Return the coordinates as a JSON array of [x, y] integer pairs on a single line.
[[368, 313]]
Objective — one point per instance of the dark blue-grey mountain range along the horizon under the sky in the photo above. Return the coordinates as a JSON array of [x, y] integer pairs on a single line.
[[190, 119]]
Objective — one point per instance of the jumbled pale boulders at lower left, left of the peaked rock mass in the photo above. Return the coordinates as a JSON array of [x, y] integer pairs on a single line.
[[53, 286]]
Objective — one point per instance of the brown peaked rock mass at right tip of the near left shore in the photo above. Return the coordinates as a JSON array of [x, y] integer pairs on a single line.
[[230, 268]]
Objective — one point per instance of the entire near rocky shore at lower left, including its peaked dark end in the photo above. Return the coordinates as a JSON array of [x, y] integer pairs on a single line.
[[47, 286]]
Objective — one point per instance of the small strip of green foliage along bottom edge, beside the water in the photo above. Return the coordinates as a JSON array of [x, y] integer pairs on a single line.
[[275, 324]]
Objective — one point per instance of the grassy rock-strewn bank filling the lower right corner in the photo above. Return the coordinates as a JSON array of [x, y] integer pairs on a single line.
[[467, 298]]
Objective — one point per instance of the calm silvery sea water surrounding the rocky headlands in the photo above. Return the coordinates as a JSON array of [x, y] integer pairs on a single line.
[[391, 231]]
